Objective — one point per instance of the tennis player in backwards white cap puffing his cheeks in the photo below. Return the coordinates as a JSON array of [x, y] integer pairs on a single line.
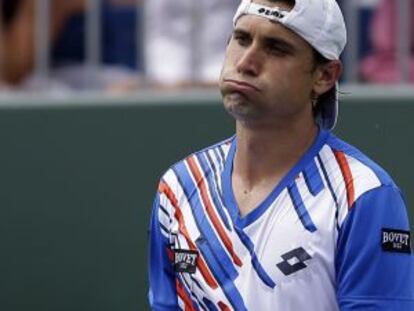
[[284, 215]]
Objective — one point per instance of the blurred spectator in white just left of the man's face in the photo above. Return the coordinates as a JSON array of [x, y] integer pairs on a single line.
[[185, 40]]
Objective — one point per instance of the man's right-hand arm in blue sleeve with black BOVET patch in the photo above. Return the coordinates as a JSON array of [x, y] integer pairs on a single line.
[[374, 261]]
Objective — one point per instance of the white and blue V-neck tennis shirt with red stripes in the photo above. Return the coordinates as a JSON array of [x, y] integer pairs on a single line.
[[332, 235]]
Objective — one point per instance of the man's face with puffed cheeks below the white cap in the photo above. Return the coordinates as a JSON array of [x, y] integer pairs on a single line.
[[268, 72]]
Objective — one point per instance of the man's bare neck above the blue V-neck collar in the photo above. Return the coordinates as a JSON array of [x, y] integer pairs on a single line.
[[263, 157]]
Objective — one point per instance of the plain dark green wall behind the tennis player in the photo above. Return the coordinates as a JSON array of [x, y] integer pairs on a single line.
[[77, 183]]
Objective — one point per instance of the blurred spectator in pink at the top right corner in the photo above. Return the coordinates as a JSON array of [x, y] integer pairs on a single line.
[[382, 64]]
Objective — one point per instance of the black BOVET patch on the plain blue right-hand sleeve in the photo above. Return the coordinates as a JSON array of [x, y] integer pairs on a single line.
[[398, 241]]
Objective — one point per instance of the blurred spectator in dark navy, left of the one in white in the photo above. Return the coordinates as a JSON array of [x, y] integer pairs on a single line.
[[121, 64]]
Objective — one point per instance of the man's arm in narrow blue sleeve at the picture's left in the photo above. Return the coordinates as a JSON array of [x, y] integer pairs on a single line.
[[162, 291]]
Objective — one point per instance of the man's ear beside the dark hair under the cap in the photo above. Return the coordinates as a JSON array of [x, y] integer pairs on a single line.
[[326, 75]]
